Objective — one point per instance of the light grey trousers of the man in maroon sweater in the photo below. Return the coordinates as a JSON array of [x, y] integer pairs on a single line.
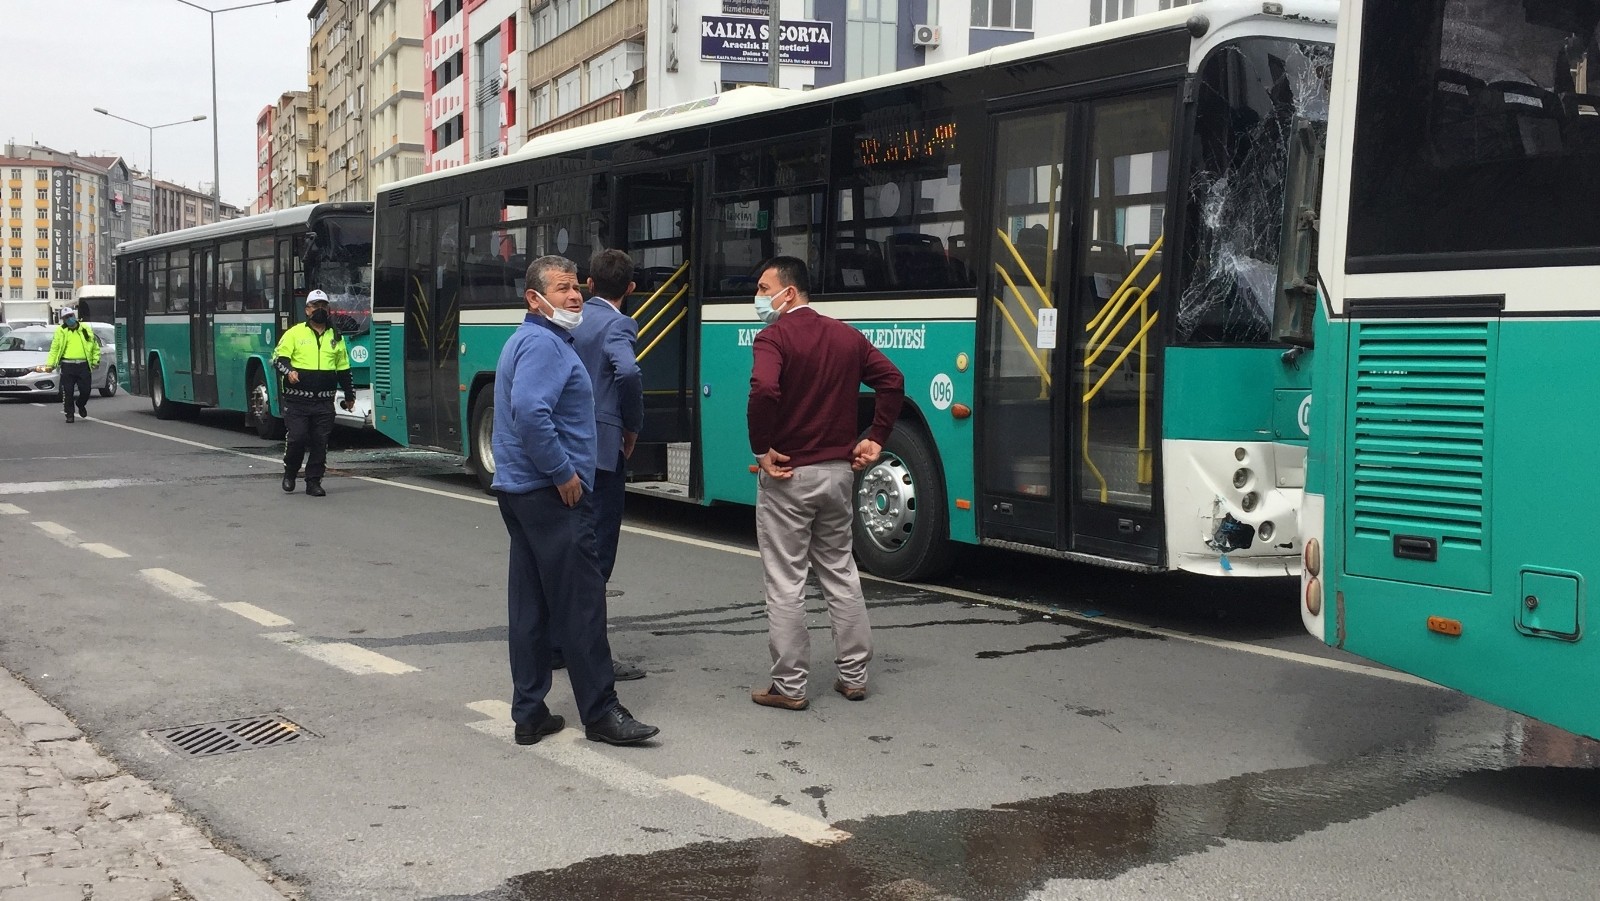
[[806, 521]]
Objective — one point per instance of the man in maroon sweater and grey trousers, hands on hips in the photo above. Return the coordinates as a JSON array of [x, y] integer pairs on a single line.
[[809, 372]]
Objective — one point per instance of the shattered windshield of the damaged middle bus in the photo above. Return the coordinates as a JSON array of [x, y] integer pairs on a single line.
[[1250, 97]]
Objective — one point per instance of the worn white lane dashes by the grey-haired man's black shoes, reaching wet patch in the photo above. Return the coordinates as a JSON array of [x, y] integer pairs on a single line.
[[564, 750]]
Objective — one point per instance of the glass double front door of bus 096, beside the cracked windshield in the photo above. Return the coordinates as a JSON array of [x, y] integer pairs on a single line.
[[1070, 420]]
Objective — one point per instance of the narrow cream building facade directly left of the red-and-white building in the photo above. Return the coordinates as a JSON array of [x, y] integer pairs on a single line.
[[394, 124]]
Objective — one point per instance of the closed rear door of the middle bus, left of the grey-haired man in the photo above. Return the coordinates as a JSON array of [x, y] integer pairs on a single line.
[[433, 318]]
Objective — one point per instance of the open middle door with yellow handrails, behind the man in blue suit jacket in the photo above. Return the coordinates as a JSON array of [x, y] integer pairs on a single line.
[[655, 226]]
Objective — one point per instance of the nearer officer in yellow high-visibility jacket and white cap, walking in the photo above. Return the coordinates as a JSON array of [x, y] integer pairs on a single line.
[[314, 361]]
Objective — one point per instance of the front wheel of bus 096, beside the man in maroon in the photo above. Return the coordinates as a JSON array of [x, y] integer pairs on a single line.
[[902, 524]]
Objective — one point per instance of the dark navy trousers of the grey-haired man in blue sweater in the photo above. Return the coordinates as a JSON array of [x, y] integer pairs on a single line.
[[556, 598]]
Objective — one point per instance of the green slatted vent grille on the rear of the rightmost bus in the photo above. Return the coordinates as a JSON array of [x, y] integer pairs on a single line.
[[1418, 450]]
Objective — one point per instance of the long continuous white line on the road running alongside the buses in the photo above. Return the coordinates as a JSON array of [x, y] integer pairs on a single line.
[[1223, 644]]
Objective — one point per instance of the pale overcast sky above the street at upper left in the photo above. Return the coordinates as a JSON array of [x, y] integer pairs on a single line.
[[150, 62]]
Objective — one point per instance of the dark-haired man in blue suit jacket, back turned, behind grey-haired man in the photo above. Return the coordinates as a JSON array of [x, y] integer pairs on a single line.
[[606, 345]]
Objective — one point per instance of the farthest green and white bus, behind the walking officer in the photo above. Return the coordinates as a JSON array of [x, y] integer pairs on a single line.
[[199, 311]]
